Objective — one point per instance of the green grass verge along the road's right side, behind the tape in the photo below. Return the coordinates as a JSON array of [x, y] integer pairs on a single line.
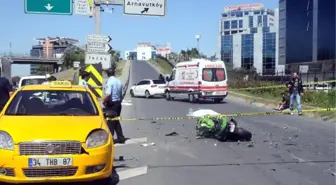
[[272, 97]]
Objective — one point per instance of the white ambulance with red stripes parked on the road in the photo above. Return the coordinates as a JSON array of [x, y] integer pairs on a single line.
[[198, 79]]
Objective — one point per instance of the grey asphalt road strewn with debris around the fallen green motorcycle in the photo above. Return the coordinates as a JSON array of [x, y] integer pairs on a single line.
[[286, 149]]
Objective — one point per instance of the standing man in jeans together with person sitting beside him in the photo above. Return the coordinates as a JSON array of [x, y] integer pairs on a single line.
[[294, 93]]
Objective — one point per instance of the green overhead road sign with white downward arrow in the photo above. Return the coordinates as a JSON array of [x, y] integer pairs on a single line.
[[57, 7]]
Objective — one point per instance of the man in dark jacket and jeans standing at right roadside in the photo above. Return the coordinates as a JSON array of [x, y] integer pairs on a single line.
[[295, 88]]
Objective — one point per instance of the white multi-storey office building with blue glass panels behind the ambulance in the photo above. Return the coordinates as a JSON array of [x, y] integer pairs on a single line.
[[249, 39]]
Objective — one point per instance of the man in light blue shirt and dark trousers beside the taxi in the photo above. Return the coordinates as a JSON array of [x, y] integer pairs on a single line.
[[112, 102]]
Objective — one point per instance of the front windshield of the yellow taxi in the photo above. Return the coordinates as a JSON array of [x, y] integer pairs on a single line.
[[52, 103]]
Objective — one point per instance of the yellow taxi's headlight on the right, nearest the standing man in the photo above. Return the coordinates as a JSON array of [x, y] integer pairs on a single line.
[[97, 138]]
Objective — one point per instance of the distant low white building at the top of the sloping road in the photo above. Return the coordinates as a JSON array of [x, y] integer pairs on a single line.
[[146, 51]]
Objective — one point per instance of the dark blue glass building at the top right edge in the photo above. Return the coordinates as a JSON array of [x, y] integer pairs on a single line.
[[307, 34]]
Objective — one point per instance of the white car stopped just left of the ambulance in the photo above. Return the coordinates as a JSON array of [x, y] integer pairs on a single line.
[[148, 88]]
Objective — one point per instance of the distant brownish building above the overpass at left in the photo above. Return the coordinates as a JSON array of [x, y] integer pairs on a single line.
[[53, 47]]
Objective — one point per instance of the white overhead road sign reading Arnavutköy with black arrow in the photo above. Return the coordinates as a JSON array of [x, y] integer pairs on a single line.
[[145, 7]]
